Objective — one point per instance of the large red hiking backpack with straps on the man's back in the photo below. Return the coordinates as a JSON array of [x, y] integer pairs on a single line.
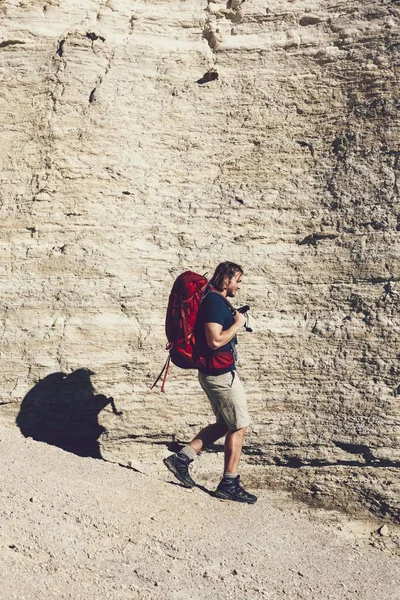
[[183, 306]]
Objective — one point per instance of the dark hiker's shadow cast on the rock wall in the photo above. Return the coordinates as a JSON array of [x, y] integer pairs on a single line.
[[62, 410]]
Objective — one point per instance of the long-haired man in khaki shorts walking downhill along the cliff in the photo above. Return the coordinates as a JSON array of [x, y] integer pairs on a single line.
[[216, 329]]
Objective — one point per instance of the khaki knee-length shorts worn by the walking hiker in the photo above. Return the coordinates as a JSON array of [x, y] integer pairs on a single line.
[[227, 398]]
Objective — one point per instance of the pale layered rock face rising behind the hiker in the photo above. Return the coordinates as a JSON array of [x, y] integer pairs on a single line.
[[141, 139]]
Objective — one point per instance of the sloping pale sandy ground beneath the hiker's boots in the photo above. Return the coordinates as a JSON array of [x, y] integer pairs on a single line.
[[75, 527]]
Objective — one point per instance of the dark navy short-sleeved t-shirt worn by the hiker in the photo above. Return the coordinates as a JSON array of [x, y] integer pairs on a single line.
[[214, 309]]
